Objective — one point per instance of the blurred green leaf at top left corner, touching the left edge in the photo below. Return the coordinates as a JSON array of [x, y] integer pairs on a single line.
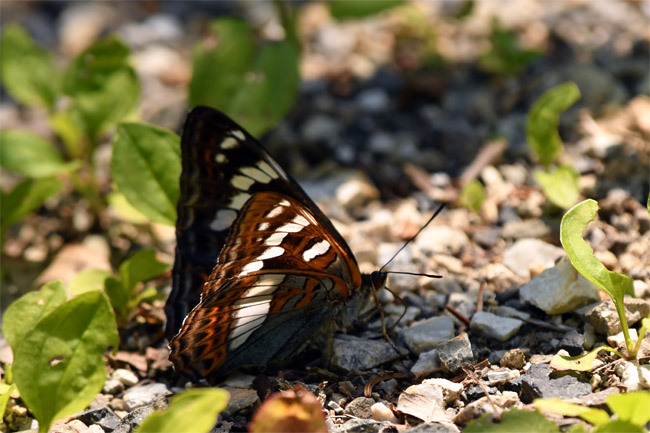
[[27, 70]]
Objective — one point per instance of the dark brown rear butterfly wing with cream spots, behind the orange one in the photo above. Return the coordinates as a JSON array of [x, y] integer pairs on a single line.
[[223, 166]]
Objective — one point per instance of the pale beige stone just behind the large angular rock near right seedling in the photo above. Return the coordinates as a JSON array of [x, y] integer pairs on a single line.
[[525, 254]]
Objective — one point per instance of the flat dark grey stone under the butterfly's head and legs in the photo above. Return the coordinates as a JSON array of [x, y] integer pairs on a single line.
[[358, 353]]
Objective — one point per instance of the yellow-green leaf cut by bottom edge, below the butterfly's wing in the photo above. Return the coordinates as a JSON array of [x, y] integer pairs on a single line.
[[192, 411]]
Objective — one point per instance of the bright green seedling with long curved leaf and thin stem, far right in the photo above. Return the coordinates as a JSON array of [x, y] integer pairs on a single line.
[[583, 260]]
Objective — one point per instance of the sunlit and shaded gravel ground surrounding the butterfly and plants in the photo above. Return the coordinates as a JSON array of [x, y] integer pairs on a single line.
[[378, 137]]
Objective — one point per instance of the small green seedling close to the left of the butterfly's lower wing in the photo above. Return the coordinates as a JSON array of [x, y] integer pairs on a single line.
[[122, 289]]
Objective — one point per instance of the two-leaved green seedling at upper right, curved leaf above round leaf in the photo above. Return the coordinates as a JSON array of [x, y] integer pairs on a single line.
[[560, 184]]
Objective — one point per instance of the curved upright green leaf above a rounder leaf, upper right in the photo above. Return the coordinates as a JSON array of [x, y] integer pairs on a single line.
[[543, 120]]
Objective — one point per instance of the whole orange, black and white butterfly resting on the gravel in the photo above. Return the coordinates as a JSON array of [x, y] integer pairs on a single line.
[[259, 269]]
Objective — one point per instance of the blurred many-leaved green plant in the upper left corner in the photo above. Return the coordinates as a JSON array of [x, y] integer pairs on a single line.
[[101, 89]]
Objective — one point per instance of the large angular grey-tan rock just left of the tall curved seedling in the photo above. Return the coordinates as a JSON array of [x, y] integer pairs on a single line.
[[559, 290]]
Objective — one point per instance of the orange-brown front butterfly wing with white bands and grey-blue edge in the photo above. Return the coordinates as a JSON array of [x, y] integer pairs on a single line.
[[279, 278]]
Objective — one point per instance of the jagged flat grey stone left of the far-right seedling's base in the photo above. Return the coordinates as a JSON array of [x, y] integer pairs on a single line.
[[537, 383]]
